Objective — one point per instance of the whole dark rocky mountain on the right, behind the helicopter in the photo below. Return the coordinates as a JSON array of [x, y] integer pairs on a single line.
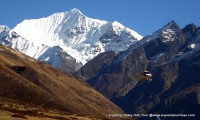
[[172, 55]]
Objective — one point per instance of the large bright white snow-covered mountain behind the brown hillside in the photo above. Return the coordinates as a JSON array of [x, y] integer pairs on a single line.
[[80, 37]]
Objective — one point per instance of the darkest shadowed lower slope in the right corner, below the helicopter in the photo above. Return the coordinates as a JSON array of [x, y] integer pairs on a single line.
[[174, 89]]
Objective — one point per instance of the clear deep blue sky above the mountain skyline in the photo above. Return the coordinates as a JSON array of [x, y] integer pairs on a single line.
[[143, 16]]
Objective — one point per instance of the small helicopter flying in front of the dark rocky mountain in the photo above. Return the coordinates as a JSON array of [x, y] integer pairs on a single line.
[[145, 75]]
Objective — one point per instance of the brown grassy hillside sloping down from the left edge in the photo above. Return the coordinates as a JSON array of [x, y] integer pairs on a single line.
[[27, 80]]
